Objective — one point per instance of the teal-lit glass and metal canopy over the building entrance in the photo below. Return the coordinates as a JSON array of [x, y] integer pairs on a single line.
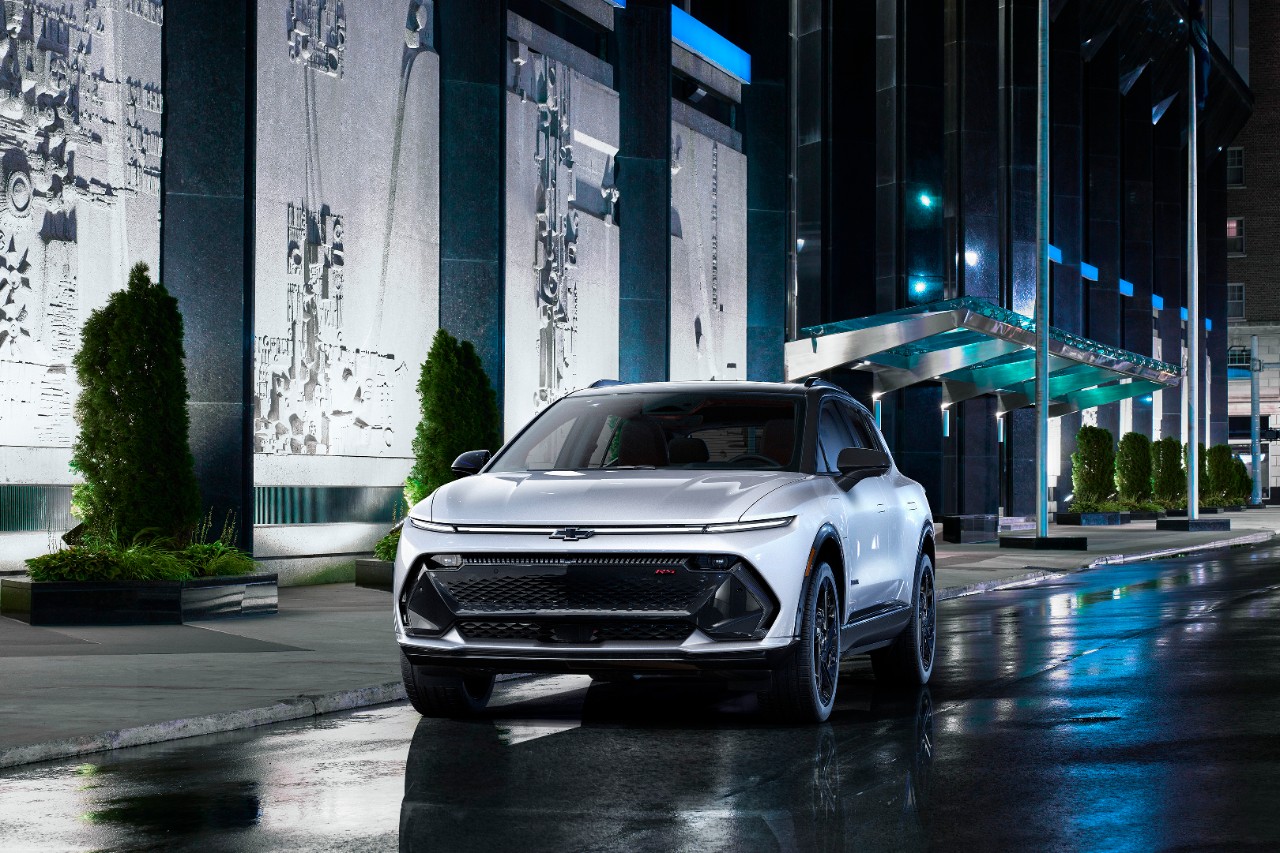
[[973, 348]]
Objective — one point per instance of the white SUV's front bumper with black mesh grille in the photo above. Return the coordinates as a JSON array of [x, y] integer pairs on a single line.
[[660, 617]]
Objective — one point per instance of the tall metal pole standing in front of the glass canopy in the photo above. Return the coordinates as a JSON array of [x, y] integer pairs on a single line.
[[1043, 284]]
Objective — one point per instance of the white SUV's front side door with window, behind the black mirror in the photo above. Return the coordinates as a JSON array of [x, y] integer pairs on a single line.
[[862, 508]]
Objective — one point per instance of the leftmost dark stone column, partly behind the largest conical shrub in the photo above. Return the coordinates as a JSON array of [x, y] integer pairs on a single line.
[[207, 257]]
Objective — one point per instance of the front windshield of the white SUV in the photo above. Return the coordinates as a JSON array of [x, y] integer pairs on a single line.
[[661, 430]]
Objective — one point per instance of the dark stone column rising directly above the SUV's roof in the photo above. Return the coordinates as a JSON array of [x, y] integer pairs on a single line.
[[643, 34]]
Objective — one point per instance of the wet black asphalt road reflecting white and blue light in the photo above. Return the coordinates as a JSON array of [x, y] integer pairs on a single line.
[[1132, 709]]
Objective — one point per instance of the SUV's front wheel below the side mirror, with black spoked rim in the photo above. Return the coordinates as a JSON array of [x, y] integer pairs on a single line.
[[804, 685]]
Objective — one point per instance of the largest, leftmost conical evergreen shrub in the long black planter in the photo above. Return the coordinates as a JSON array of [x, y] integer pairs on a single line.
[[132, 410]]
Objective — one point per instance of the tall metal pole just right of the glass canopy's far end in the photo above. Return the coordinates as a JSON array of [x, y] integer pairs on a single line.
[[1194, 322]]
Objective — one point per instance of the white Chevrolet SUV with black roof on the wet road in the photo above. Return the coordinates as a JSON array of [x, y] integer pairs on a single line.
[[744, 531]]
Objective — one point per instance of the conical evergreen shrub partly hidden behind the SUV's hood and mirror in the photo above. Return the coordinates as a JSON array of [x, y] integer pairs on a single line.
[[460, 413]]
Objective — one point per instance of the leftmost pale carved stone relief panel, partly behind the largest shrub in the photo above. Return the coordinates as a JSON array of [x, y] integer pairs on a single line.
[[80, 175]]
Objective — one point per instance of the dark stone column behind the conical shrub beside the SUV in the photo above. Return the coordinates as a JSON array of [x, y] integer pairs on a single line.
[[473, 44]]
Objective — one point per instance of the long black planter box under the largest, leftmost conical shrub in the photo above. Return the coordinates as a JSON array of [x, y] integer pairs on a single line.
[[138, 603]]
